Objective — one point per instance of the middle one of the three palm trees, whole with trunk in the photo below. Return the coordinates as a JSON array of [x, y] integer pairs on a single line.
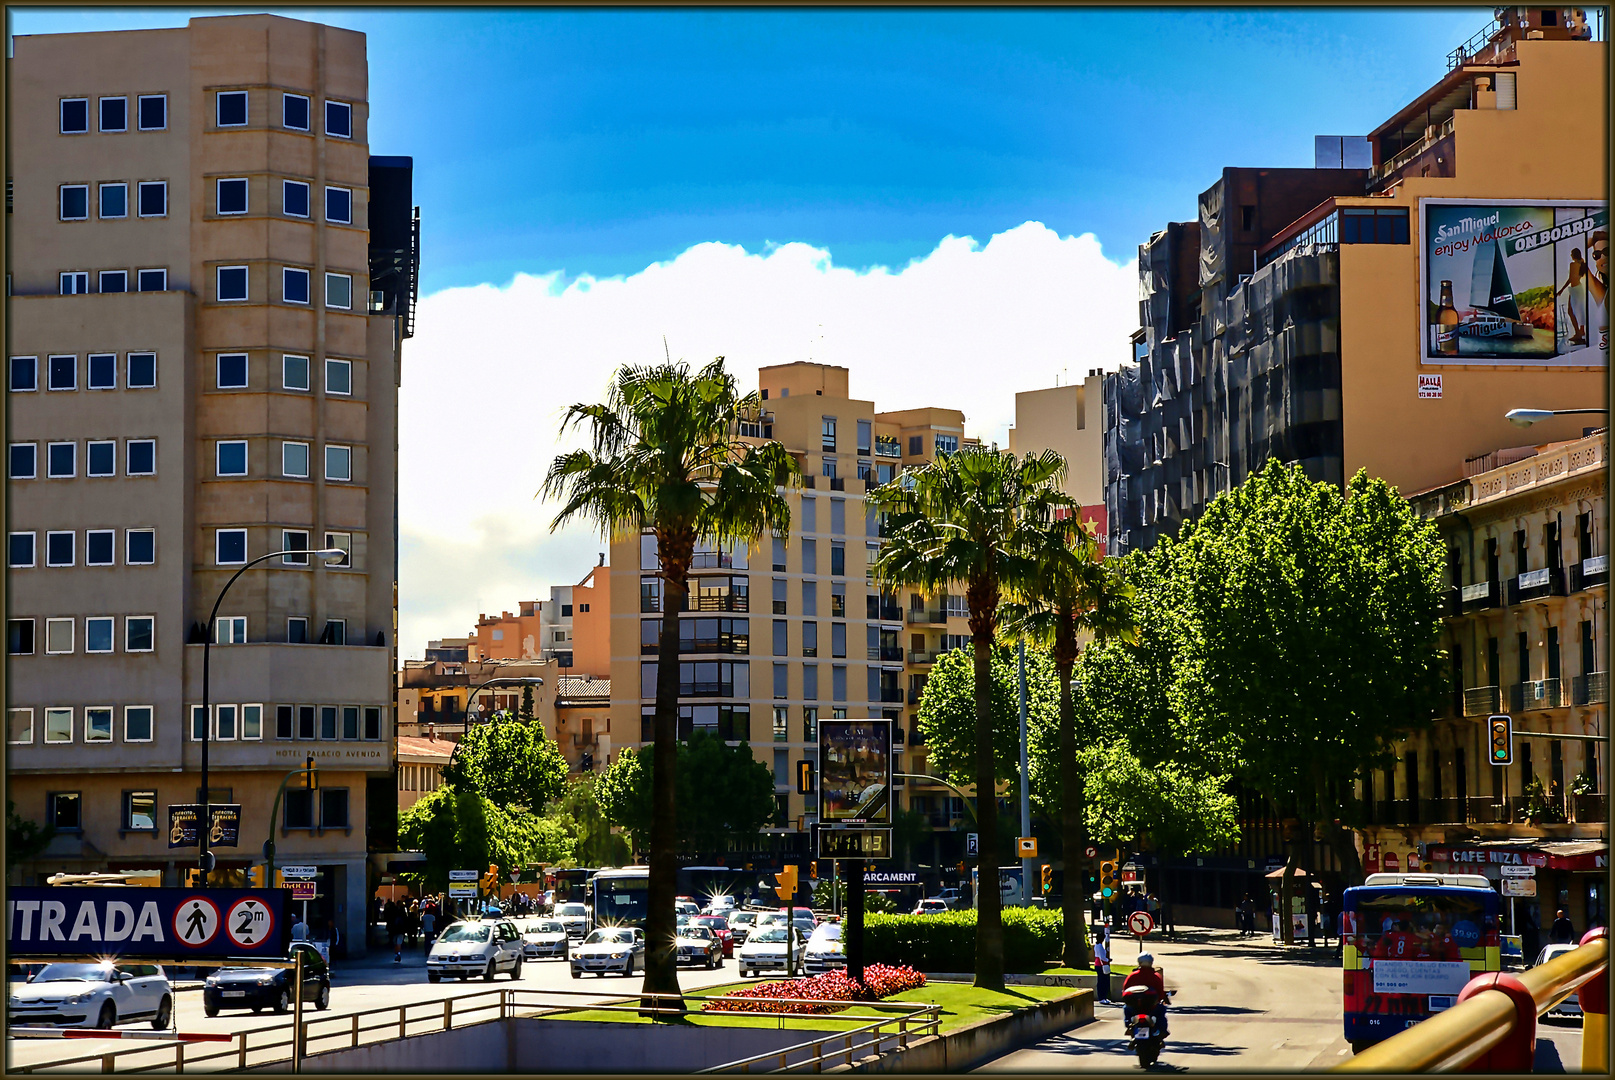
[[970, 519]]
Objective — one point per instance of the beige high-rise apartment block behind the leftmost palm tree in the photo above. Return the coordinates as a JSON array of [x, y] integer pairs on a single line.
[[794, 630]]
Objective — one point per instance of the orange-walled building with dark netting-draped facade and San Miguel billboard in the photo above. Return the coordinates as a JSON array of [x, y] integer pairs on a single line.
[[1382, 317]]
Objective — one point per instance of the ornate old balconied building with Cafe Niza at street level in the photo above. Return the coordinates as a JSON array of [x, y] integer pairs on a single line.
[[1527, 632]]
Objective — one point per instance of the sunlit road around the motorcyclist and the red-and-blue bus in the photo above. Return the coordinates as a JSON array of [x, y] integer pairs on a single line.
[[1241, 1007]]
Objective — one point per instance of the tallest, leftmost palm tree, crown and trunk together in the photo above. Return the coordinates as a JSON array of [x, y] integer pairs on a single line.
[[666, 459]]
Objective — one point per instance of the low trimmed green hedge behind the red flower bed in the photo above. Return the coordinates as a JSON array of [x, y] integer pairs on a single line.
[[947, 942]]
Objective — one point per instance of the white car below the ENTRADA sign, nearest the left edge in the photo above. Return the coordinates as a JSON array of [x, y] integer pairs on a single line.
[[93, 995]]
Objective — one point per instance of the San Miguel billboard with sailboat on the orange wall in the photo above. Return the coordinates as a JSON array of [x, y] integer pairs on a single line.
[[1512, 283]]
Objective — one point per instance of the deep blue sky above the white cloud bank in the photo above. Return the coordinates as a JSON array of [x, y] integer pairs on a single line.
[[597, 143]]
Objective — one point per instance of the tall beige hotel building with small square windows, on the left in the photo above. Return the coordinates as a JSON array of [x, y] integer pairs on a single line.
[[211, 280]]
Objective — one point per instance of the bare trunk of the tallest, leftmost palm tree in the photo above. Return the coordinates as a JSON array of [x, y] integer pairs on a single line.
[[661, 961]]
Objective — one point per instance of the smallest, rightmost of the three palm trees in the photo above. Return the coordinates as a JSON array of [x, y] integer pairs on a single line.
[[1075, 595]]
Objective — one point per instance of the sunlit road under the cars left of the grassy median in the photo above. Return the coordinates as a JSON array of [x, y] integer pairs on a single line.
[[371, 984]]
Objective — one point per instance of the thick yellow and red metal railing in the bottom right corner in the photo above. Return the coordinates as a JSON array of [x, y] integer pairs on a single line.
[[1487, 1021]]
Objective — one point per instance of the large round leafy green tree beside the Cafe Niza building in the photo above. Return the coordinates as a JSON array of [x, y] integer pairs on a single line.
[[1311, 638]]
